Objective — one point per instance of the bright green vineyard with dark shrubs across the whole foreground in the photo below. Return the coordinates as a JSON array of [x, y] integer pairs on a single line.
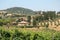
[[26, 34]]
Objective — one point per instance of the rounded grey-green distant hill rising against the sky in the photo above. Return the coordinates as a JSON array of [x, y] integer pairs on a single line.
[[20, 10]]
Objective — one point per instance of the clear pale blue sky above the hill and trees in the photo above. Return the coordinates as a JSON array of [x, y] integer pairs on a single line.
[[36, 5]]
